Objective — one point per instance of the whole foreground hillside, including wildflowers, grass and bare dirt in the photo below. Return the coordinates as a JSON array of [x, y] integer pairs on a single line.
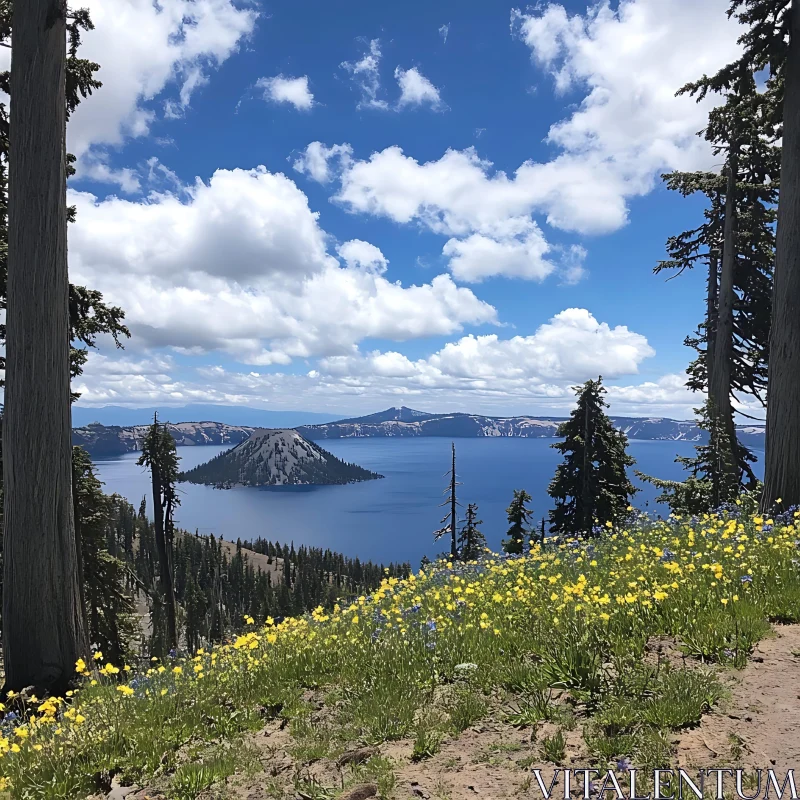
[[459, 679]]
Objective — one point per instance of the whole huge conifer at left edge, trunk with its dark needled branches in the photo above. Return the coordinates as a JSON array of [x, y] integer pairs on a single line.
[[47, 82]]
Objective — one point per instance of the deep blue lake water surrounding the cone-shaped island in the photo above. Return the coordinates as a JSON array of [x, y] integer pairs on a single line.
[[390, 519]]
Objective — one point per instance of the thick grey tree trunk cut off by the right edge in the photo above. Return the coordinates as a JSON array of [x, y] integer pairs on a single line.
[[782, 459]]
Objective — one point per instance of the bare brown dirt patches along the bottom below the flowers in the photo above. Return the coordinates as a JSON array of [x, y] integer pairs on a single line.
[[754, 727]]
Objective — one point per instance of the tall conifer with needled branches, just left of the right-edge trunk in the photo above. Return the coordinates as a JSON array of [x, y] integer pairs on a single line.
[[738, 243]]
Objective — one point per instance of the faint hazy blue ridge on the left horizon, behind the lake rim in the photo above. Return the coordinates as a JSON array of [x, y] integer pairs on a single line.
[[230, 415]]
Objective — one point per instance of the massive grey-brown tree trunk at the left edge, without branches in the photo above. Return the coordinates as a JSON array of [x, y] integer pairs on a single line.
[[43, 624]]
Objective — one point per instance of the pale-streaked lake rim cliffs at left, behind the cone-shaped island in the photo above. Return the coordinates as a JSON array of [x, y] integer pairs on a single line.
[[101, 441]]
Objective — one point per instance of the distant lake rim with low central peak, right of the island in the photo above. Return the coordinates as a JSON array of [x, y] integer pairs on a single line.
[[397, 422]]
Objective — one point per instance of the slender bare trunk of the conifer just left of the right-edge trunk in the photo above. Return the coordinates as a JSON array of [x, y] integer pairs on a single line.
[[720, 376]]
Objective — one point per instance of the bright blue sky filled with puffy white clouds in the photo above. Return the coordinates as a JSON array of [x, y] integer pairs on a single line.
[[341, 207]]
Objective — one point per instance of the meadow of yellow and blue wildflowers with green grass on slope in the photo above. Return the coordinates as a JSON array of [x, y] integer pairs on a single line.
[[427, 657]]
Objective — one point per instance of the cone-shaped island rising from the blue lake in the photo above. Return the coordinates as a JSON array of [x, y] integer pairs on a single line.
[[276, 458]]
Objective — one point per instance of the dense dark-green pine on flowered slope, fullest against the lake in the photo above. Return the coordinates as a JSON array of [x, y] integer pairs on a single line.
[[591, 486]]
